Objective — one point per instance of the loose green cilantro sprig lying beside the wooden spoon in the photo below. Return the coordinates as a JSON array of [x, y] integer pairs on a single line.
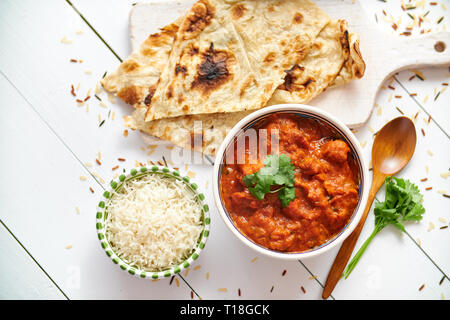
[[403, 202]]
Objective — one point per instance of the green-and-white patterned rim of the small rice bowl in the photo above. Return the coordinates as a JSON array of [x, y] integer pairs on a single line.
[[101, 216]]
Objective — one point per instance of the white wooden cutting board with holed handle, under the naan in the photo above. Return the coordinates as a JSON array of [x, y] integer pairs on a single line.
[[383, 53]]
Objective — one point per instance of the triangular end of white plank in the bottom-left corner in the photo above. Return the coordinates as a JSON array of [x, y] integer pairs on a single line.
[[21, 278]]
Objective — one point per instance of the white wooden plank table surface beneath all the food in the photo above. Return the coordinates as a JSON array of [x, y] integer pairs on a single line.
[[48, 243]]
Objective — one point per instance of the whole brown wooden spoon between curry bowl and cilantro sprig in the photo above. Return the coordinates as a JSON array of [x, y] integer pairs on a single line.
[[392, 149]]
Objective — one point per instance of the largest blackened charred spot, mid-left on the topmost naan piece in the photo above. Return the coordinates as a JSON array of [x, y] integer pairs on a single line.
[[213, 70]]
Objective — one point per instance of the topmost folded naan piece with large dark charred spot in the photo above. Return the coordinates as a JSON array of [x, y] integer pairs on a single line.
[[230, 56]]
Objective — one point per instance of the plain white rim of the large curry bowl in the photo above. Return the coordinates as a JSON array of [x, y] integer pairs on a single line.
[[320, 115]]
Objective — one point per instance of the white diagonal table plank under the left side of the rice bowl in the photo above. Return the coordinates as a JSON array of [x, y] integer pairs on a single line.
[[40, 197]]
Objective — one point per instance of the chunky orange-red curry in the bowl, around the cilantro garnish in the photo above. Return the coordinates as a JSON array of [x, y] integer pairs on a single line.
[[326, 183]]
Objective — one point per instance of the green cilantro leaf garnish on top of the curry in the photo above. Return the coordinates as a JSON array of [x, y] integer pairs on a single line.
[[278, 171]]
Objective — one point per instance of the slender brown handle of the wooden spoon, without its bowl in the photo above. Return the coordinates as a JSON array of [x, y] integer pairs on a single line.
[[349, 244]]
